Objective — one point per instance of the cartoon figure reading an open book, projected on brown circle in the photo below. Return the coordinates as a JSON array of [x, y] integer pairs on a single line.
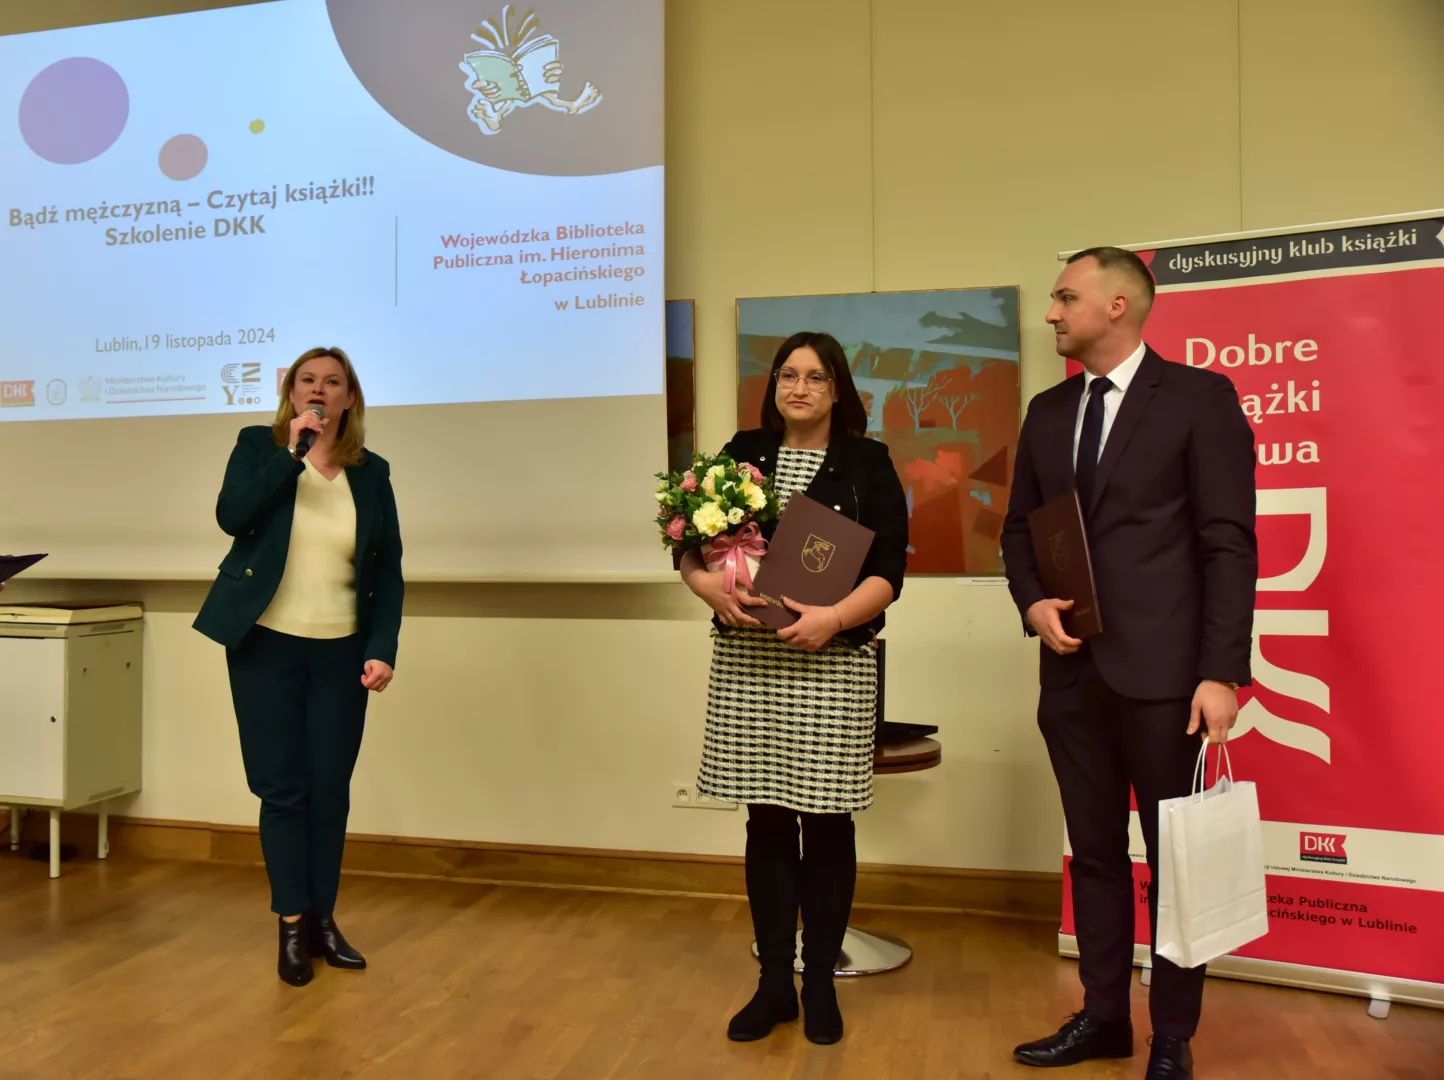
[[519, 67]]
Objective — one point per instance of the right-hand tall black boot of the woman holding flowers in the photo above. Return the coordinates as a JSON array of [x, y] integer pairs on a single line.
[[830, 876]]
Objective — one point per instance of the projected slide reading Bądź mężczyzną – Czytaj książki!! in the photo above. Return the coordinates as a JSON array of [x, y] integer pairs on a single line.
[[464, 196]]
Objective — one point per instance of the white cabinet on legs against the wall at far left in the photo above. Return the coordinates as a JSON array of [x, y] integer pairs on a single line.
[[70, 711]]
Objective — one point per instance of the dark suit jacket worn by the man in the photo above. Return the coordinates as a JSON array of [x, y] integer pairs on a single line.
[[1170, 529]]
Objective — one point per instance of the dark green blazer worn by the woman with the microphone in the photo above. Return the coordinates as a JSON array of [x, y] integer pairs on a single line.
[[258, 505]]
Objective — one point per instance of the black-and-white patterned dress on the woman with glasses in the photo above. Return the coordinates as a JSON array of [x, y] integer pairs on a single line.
[[786, 727]]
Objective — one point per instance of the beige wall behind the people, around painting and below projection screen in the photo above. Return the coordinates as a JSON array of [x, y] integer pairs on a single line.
[[840, 147]]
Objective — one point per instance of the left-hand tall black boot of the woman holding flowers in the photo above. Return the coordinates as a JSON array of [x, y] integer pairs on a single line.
[[773, 870]]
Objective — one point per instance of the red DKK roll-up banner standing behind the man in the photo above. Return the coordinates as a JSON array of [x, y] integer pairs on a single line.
[[1335, 340]]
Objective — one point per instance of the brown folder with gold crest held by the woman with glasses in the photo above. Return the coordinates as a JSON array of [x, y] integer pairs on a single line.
[[814, 558]]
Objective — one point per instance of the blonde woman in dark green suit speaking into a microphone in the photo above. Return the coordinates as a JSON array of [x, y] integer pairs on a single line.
[[308, 604]]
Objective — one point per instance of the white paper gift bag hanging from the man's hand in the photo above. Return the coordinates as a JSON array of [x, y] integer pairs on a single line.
[[1212, 897]]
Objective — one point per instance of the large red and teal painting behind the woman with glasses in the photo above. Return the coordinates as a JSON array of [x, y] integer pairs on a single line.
[[938, 373]]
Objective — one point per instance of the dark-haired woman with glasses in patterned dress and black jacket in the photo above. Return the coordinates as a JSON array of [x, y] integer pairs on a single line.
[[791, 714]]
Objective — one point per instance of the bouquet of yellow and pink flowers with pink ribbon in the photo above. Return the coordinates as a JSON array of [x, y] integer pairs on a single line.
[[718, 506]]
